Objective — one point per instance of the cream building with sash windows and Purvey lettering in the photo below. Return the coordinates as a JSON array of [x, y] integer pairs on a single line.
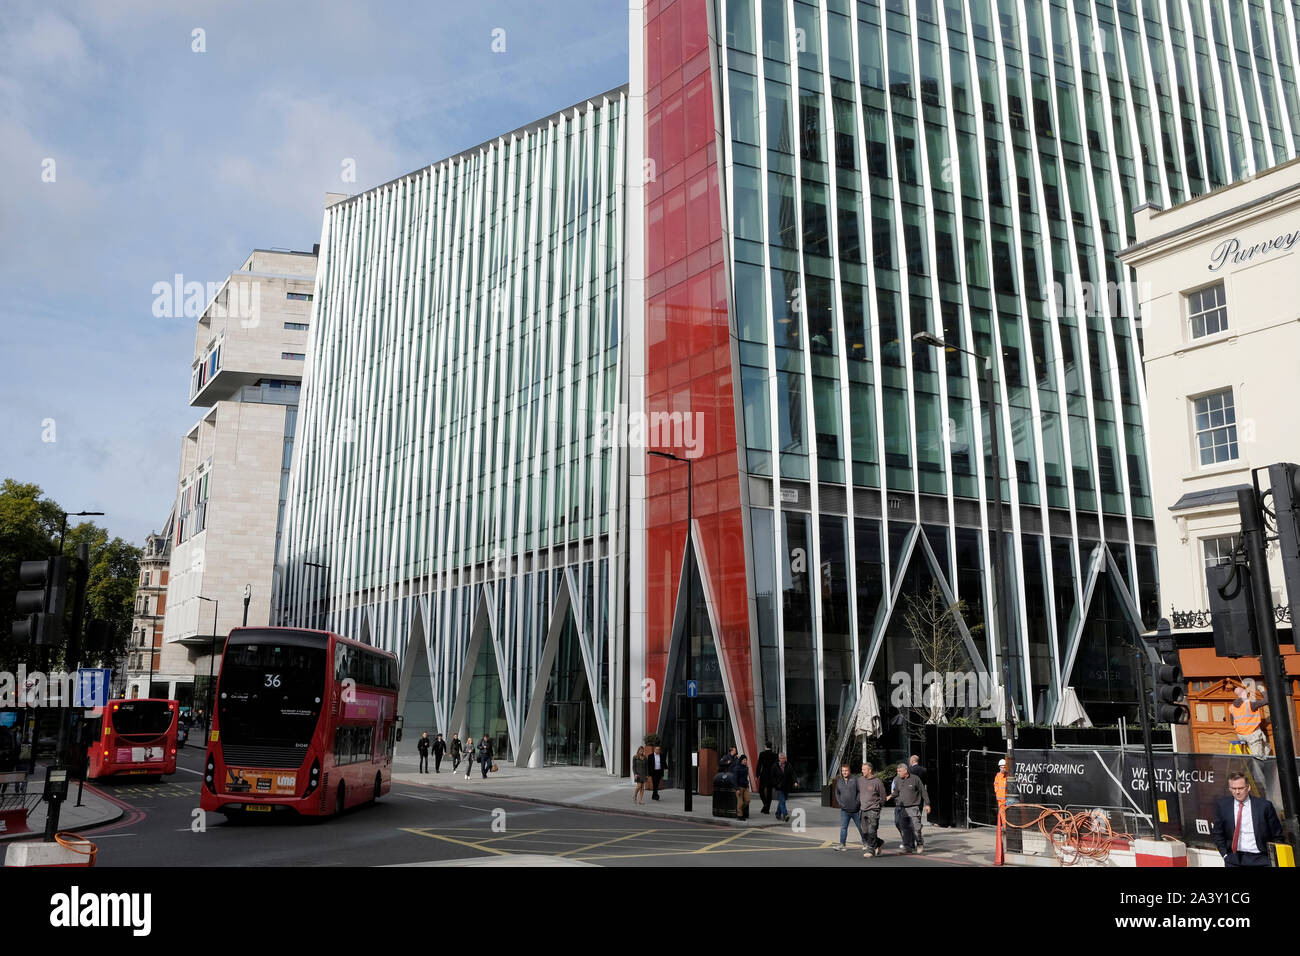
[[1219, 282]]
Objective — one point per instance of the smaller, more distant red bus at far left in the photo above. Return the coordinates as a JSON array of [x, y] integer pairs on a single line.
[[135, 738]]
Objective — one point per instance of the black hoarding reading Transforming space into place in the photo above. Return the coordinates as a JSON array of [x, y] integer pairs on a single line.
[[1190, 784]]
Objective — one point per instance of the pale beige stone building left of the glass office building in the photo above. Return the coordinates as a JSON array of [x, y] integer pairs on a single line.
[[249, 361]]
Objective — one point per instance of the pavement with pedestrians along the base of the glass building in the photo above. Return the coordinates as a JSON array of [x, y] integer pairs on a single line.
[[595, 790]]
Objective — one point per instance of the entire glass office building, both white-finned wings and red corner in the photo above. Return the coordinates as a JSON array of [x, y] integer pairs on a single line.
[[740, 248]]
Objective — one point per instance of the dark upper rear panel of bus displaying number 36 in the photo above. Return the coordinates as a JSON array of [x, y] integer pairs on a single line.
[[271, 694]]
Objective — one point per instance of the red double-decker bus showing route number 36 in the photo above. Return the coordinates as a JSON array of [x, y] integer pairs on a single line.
[[305, 721]]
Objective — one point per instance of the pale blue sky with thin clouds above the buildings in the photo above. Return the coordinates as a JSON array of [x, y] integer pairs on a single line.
[[148, 139]]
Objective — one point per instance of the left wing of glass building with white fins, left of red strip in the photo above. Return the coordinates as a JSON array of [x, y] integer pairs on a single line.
[[449, 500]]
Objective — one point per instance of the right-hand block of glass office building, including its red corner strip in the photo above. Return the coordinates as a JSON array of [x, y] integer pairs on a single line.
[[965, 168]]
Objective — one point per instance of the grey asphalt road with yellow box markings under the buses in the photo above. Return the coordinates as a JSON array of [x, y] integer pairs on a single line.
[[421, 825]]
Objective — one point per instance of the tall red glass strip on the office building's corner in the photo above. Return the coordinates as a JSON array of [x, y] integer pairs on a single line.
[[688, 354]]
